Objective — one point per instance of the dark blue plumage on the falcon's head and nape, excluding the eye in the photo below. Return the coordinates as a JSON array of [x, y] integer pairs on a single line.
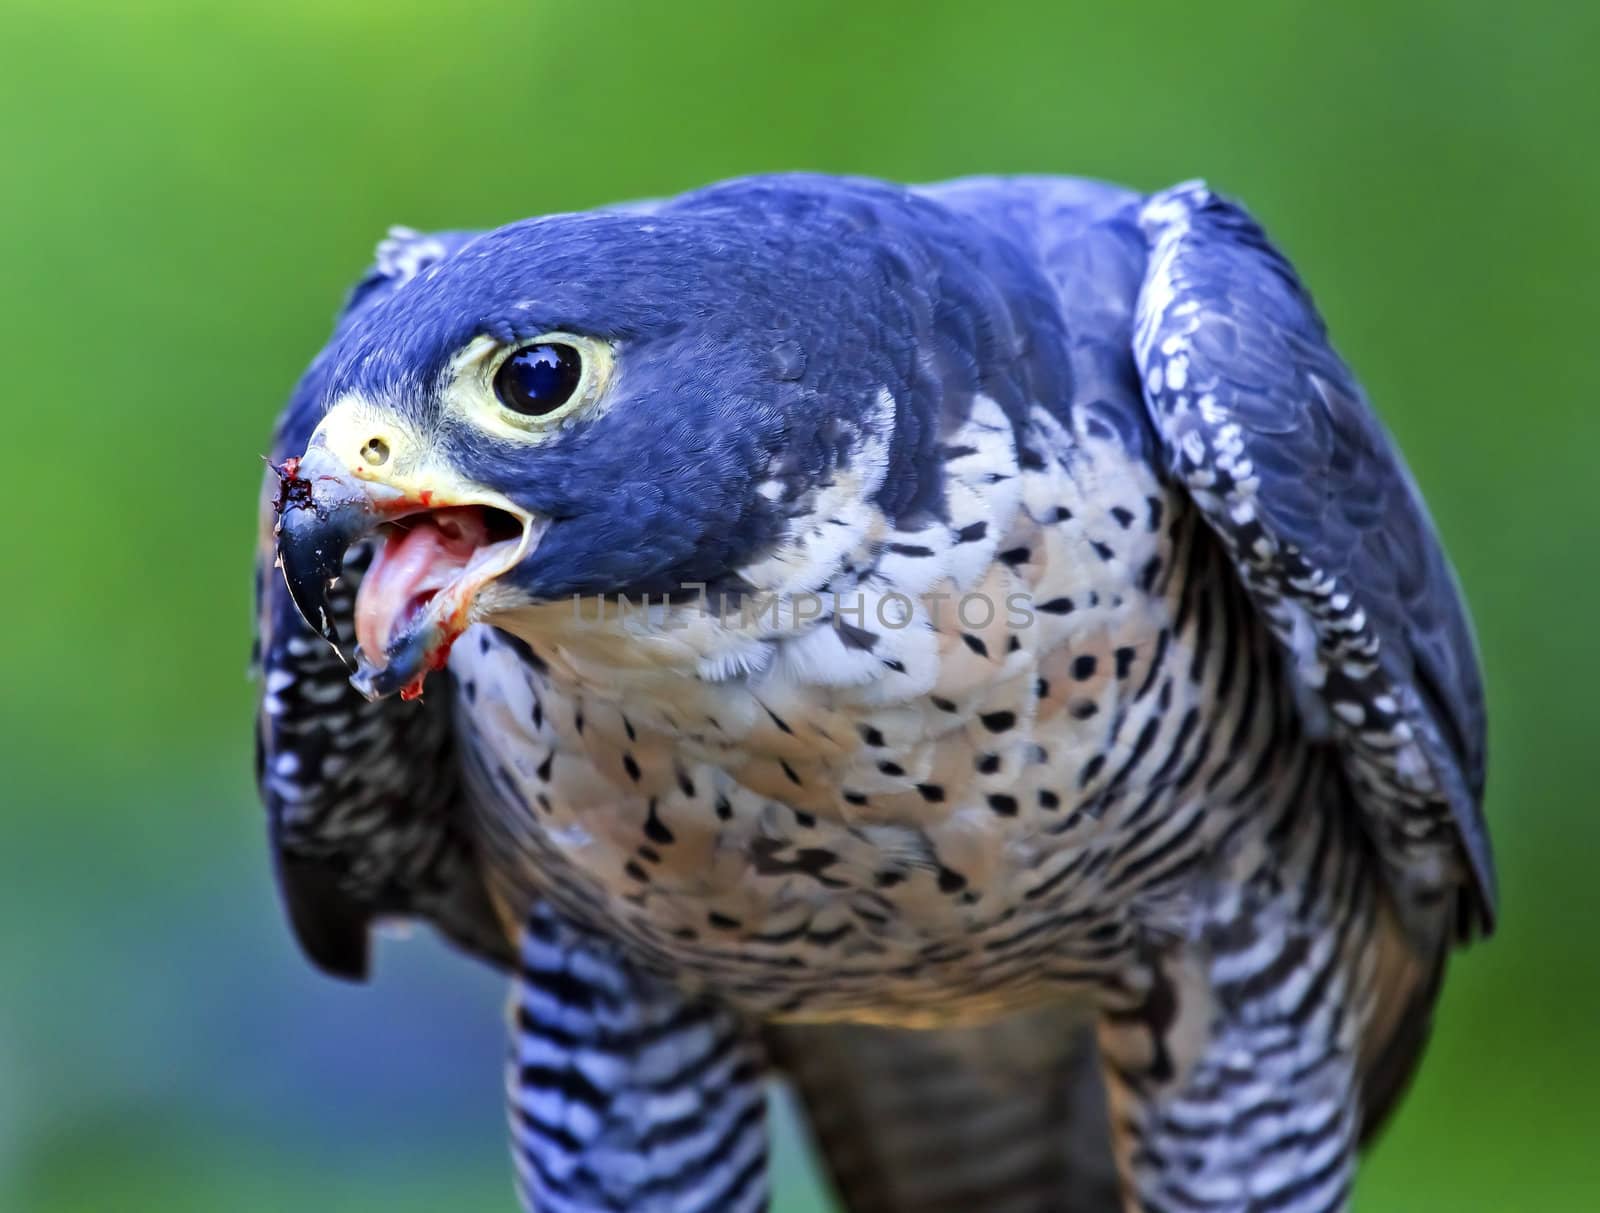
[[758, 322]]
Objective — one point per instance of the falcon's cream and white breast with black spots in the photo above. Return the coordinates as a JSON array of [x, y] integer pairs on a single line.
[[793, 803]]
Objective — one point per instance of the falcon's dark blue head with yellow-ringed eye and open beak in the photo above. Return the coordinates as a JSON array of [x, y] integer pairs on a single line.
[[617, 404]]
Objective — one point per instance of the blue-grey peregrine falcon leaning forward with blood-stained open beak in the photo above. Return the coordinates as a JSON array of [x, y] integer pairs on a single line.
[[970, 649]]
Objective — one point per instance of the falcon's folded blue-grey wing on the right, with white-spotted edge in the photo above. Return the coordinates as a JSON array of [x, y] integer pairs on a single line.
[[1274, 441]]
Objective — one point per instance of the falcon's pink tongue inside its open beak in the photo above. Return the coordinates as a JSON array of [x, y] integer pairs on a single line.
[[420, 558]]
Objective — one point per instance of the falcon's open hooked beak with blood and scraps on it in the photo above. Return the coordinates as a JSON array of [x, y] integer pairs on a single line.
[[442, 543]]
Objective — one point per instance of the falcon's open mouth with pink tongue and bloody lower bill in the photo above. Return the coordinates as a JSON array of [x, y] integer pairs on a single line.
[[420, 591]]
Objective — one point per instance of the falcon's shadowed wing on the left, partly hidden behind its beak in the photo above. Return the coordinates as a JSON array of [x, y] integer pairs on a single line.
[[361, 798]]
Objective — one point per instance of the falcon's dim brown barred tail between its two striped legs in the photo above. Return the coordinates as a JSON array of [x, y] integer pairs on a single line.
[[1009, 1118]]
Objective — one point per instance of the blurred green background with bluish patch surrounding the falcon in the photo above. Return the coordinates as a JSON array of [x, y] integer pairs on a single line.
[[188, 190]]
